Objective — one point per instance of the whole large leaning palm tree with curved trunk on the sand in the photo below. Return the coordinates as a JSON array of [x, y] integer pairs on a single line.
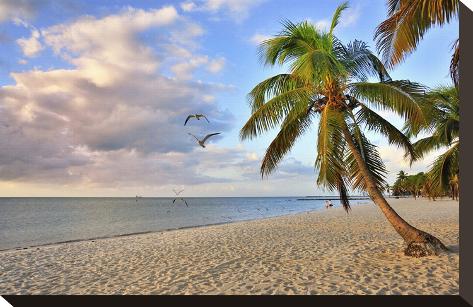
[[329, 81]]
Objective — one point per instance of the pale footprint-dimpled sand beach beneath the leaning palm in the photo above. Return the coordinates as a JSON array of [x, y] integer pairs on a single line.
[[326, 252]]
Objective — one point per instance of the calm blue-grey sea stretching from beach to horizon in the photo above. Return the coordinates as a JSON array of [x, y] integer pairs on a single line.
[[28, 222]]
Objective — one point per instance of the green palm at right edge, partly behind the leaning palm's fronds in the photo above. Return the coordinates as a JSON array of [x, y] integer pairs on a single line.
[[443, 123]]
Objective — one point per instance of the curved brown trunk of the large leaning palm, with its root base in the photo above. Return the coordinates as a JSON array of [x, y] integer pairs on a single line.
[[419, 243]]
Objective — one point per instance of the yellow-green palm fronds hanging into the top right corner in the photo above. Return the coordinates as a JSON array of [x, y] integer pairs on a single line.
[[408, 21]]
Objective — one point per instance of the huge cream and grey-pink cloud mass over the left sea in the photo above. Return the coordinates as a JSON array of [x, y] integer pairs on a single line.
[[113, 118]]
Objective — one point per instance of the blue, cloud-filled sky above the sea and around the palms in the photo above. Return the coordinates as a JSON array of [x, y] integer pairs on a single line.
[[94, 94]]
